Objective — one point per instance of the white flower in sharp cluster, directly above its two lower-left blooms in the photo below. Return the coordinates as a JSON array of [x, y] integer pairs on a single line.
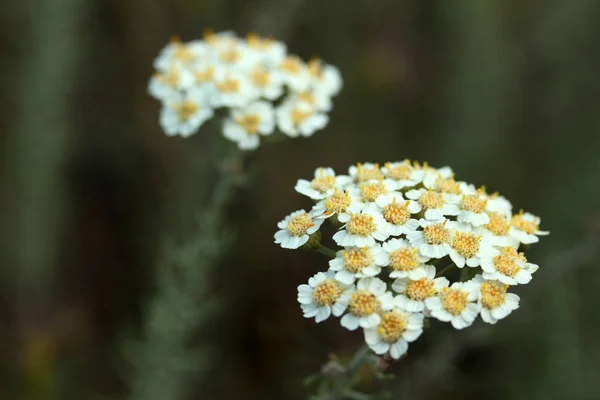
[[357, 262]]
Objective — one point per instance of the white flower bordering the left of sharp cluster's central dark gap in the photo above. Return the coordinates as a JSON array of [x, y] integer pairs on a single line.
[[404, 260]]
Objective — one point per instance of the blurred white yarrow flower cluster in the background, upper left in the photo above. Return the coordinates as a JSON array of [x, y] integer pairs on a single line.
[[257, 84]]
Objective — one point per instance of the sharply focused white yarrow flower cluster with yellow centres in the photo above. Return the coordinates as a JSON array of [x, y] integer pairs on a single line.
[[415, 243]]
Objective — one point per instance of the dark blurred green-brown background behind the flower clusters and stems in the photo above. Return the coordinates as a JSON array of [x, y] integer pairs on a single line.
[[506, 92]]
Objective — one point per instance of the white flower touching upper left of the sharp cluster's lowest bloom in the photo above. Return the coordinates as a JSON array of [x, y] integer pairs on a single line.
[[365, 302]]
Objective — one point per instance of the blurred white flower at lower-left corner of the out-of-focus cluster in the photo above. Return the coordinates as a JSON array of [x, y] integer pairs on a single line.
[[183, 114]]
